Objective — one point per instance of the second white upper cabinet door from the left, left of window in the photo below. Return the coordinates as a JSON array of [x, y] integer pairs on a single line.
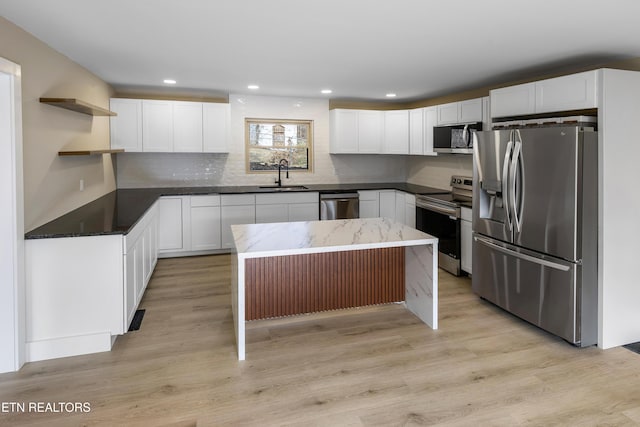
[[157, 126]]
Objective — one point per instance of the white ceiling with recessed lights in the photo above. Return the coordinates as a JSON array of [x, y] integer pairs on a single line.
[[361, 49]]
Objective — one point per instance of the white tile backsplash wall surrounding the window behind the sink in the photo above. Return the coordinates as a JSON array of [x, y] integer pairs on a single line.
[[169, 169]]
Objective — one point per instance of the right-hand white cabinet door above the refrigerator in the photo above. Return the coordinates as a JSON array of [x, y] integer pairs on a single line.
[[572, 92]]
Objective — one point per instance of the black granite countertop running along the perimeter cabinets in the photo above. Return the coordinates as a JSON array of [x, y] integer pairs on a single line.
[[119, 211]]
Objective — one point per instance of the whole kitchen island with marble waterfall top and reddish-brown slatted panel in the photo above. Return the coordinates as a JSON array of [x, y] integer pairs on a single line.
[[283, 269]]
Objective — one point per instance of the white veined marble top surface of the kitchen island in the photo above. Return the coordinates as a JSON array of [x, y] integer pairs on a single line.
[[289, 238]]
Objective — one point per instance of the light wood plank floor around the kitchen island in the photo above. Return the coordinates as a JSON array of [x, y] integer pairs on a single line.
[[375, 366]]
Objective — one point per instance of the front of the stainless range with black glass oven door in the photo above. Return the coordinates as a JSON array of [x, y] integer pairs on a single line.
[[442, 222]]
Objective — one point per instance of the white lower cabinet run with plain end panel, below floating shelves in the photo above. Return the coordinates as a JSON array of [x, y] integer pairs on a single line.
[[82, 291]]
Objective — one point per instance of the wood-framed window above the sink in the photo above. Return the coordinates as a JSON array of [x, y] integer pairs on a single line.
[[270, 141]]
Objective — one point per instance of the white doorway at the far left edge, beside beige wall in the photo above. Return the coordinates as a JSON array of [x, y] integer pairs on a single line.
[[12, 285]]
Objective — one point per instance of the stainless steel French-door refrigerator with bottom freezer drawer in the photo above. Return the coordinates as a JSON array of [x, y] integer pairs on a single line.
[[535, 203]]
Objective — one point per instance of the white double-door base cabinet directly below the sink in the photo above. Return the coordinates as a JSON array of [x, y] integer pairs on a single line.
[[287, 207]]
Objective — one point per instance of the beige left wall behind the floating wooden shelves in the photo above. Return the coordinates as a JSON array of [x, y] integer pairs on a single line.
[[51, 183]]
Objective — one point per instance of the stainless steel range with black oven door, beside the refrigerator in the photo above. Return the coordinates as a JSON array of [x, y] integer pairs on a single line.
[[438, 214]]
